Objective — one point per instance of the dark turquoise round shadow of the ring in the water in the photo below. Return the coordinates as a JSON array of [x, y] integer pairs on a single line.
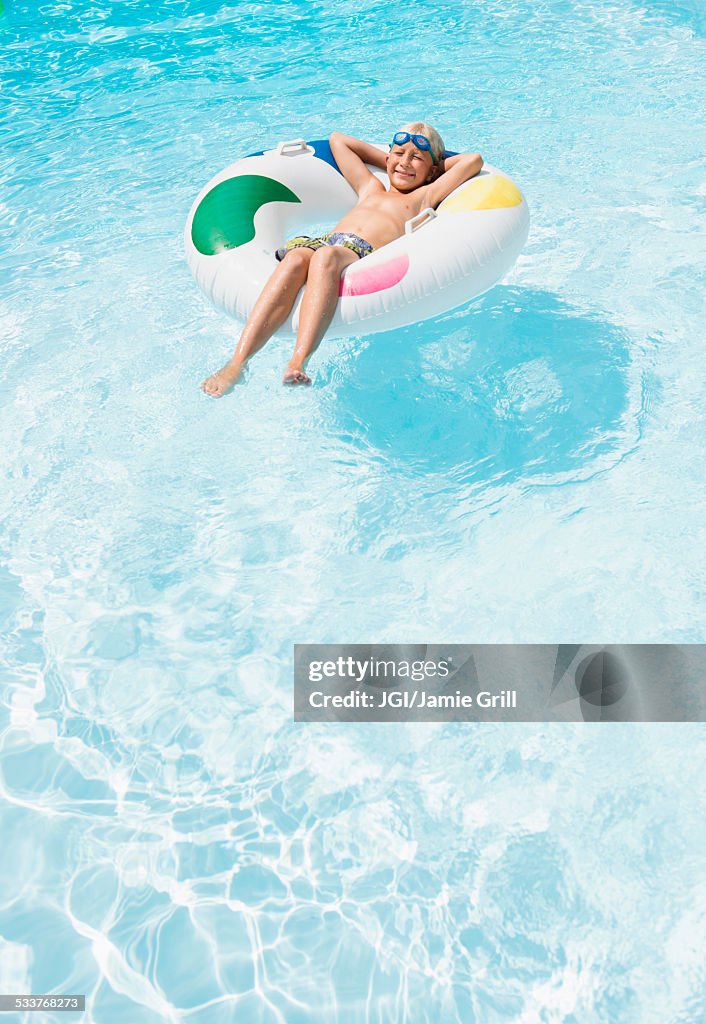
[[522, 385]]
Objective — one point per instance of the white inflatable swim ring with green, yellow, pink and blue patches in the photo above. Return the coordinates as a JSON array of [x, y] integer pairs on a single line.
[[445, 259]]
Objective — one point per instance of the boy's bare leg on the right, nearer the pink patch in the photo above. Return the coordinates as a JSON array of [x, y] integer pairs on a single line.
[[318, 307]]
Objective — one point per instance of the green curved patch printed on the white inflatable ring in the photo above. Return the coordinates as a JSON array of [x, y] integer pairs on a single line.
[[226, 217]]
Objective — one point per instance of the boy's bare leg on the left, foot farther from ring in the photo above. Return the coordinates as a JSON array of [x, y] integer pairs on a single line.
[[271, 311]]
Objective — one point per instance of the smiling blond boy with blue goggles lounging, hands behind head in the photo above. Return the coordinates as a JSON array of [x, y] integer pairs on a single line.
[[420, 178]]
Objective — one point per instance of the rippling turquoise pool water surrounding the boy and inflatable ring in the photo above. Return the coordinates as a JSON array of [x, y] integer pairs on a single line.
[[527, 470]]
